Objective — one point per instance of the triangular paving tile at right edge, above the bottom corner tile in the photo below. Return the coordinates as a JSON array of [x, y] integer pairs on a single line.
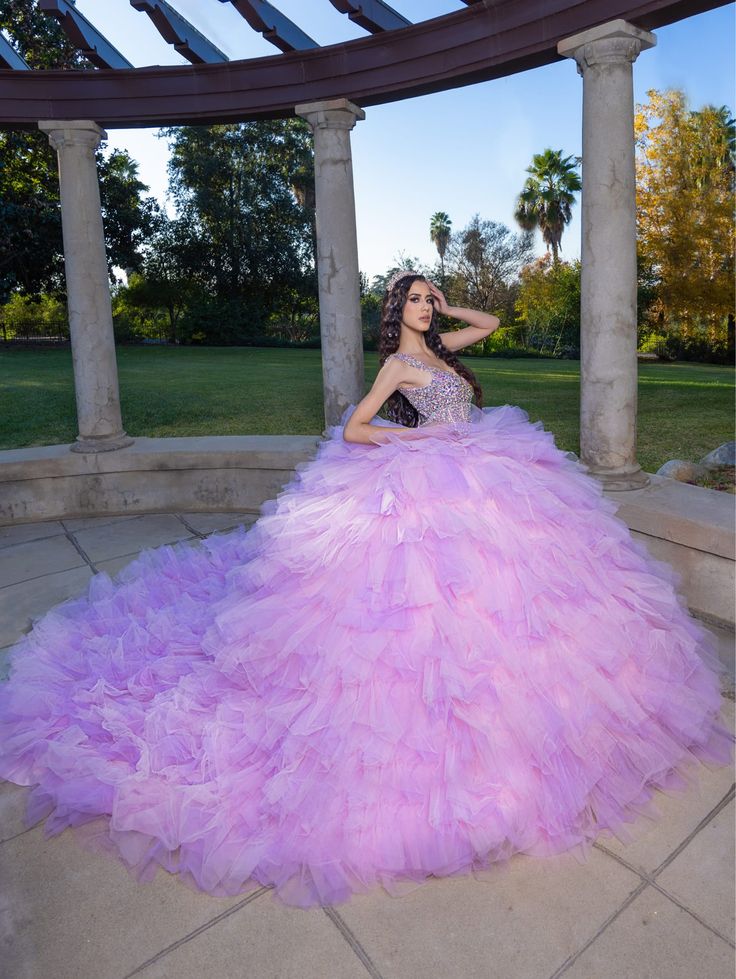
[[702, 878]]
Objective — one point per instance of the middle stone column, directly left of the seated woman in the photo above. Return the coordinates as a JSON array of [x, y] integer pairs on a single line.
[[337, 254]]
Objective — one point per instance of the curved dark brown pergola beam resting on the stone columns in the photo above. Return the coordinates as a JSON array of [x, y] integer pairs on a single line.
[[489, 39]]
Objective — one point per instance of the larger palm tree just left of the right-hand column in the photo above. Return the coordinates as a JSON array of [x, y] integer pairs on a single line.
[[546, 199]]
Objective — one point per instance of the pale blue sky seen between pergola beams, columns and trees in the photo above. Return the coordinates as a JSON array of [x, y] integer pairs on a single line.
[[463, 151]]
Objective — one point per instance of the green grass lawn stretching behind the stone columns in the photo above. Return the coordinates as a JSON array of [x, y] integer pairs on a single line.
[[685, 410]]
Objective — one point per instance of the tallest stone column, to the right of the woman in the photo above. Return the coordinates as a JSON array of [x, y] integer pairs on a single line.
[[608, 367]]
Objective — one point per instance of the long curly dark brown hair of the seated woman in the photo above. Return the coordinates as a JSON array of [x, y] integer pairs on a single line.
[[398, 408]]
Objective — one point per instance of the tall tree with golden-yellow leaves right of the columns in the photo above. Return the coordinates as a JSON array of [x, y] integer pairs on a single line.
[[685, 169]]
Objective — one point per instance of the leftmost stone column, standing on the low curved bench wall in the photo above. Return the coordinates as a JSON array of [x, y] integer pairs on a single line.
[[87, 286]]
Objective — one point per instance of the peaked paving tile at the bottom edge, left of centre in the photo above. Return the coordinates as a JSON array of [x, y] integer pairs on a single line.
[[264, 940]]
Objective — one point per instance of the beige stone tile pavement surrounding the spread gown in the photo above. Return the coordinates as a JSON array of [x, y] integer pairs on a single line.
[[660, 907]]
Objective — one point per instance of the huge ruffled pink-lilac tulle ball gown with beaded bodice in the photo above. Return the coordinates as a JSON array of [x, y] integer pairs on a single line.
[[425, 656]]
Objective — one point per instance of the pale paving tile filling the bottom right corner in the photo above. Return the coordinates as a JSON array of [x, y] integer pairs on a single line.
[[654, 939]]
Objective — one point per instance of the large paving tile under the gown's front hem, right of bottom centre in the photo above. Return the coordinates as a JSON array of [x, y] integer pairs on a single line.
[[524, 919]]
